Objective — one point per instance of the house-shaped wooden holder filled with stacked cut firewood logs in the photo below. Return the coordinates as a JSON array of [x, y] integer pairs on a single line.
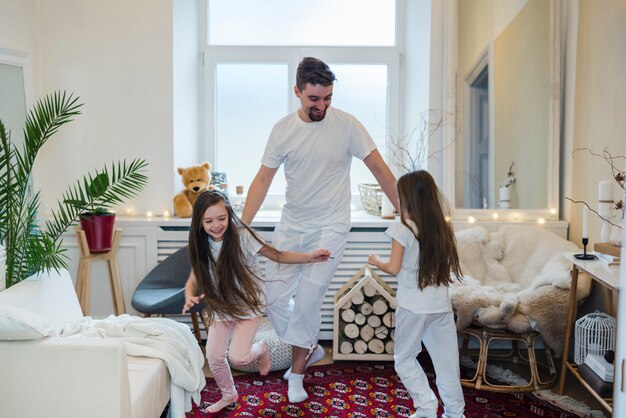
[[364, 318]]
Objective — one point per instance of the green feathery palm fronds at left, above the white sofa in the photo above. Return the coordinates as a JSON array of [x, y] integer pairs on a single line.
[[29, 247]]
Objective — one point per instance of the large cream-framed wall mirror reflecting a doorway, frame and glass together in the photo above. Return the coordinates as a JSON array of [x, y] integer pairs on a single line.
[[502, 66]]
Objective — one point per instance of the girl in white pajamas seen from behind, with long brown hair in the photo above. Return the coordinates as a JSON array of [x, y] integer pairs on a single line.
[[425, 260]]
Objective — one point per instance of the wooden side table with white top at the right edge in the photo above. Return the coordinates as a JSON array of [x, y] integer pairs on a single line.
[[608, 278]]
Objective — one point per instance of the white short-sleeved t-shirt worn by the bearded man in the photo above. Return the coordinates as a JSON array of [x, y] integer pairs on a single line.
[[317, 158]]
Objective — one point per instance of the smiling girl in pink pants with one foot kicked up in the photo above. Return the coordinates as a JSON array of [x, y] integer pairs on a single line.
[[222, 250]]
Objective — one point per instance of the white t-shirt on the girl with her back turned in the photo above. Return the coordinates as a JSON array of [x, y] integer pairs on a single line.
[[431, 299]]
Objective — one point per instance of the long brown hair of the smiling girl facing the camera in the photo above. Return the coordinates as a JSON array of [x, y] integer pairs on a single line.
[[231, 287]]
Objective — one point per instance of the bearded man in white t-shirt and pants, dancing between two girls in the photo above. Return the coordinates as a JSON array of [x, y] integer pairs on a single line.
[[316, 144]]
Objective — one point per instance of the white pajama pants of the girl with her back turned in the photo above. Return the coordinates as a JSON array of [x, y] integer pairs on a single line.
[[438, 332]]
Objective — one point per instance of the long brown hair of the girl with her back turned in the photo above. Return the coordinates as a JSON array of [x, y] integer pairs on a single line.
[[422, 202]]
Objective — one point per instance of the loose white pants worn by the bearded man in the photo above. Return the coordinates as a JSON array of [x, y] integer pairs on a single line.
[[295, 292]]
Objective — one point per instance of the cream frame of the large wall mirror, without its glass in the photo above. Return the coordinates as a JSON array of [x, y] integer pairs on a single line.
[[551, 212]]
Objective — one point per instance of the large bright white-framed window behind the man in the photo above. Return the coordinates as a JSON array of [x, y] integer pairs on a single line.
[[250, 59]]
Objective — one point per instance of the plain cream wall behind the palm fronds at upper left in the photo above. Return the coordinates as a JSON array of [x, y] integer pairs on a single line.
[[117, 57]]
